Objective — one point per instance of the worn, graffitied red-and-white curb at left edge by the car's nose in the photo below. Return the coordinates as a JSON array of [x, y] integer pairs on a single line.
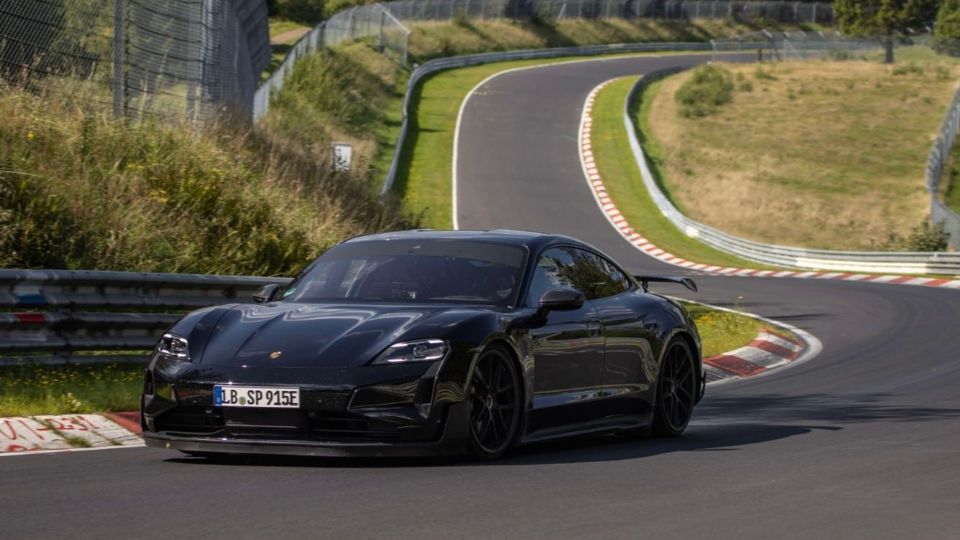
[[53, 433]]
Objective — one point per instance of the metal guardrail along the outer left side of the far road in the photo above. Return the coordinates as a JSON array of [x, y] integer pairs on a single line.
[[433, 66]]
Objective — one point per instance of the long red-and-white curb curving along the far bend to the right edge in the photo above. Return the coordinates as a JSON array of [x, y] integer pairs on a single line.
[[620, 223]]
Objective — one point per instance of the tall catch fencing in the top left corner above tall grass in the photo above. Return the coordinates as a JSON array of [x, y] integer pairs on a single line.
[[193, 58]]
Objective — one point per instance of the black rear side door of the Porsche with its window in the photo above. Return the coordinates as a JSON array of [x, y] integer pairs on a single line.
[[629, 367]]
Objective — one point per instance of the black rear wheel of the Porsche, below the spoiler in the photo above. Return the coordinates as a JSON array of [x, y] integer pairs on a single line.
[[676, 390]]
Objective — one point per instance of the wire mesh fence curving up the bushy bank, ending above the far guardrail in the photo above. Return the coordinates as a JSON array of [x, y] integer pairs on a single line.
[[374, 22]]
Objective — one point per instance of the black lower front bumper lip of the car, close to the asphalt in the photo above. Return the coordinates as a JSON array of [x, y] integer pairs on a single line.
[[451, 442]]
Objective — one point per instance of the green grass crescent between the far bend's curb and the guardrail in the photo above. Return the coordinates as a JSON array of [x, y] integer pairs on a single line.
[[621, 177]]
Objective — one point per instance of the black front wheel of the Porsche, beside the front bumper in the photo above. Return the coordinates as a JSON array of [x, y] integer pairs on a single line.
[[494, 398]]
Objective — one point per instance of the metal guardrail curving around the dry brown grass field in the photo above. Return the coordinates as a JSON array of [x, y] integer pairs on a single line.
[[813, 259]]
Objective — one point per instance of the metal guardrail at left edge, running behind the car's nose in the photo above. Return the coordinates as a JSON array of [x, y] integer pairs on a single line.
[[62, 312]]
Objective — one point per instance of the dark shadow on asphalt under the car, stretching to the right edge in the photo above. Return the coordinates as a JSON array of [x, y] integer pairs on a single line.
[[721, 424]]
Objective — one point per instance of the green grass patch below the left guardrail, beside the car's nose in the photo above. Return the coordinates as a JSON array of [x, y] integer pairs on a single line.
[[34, 390]]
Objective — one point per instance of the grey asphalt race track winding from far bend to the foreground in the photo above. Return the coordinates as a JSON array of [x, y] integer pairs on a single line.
[[861, 442]]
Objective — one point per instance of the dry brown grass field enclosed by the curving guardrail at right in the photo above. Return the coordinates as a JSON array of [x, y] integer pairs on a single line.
[[826, 155]]
